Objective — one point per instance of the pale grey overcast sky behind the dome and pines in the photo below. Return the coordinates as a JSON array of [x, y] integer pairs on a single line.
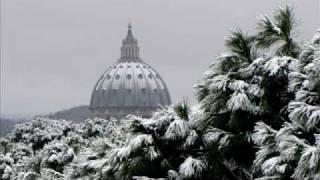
[[53, 51]]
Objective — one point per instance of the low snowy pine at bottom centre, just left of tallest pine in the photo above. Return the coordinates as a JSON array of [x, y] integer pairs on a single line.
[[164, 146]]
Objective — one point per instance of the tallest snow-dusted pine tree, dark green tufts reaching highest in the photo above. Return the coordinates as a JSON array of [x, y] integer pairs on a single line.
[[243, 86]]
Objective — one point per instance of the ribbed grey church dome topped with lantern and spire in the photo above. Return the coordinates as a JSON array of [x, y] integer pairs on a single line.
[[130, 86]]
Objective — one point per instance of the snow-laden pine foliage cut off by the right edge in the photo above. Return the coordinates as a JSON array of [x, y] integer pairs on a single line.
[[293, 152]]
